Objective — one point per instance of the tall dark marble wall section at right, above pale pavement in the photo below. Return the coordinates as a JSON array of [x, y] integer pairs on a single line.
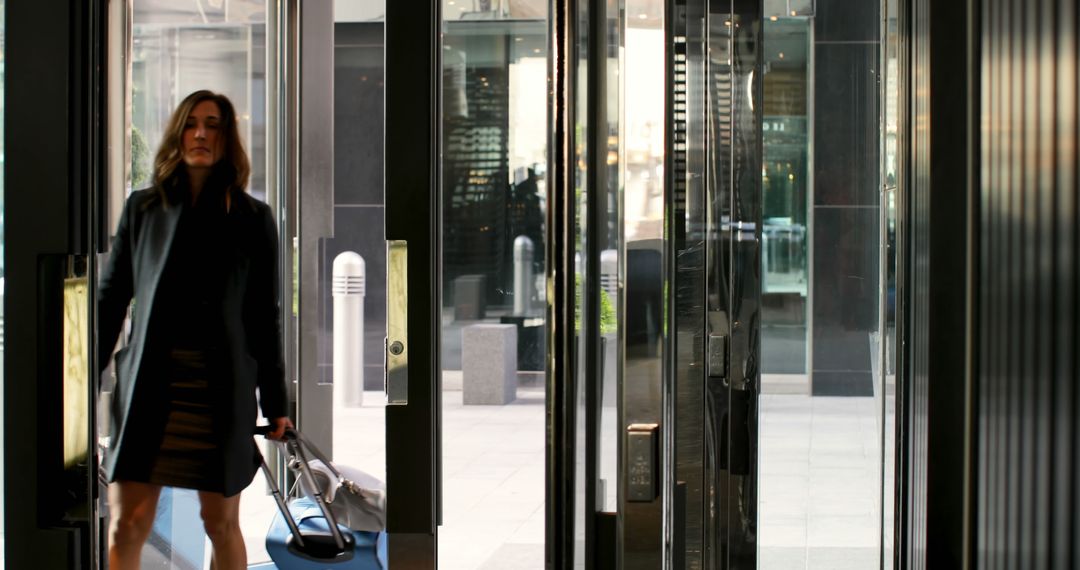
[[845, 235]]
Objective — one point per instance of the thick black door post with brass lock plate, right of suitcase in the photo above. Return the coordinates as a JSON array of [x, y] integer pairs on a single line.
[[413, 143]]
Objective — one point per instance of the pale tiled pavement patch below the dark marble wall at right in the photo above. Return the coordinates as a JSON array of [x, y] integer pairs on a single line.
[[820, 495]]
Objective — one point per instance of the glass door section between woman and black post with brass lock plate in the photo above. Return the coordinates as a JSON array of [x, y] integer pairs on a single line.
[[360, 216]]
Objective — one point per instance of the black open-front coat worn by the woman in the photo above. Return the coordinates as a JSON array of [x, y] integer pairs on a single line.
[[250, 311]]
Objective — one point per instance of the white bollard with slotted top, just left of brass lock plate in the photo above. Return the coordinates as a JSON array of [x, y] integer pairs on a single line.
[[348, 288]]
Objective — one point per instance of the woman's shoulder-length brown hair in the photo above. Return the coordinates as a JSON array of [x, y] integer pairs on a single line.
[[233, 170]]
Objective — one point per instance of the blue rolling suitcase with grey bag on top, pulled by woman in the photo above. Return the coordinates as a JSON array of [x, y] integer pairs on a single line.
[[307, 534]]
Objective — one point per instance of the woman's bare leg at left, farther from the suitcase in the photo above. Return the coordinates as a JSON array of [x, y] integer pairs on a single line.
[[132, 507]]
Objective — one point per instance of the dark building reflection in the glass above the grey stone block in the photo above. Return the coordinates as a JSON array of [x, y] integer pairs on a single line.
[[484, 210]]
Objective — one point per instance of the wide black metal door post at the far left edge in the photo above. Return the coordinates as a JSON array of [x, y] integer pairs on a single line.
[[55, 71]]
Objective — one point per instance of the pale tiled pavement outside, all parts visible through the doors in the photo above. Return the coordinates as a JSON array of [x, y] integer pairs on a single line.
[[820, 496]]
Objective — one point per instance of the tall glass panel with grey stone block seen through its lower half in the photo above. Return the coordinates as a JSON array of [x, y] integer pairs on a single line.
[[495, 137]]
